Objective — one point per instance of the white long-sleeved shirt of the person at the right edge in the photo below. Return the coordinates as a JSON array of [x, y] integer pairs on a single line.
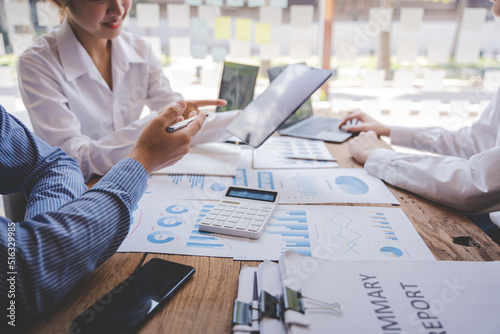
[[466, 175]]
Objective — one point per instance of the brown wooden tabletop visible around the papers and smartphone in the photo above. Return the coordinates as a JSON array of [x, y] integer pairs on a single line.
[[205, 303]]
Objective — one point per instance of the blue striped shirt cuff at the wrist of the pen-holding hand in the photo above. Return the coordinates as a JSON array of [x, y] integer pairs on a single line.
[[128, 174]]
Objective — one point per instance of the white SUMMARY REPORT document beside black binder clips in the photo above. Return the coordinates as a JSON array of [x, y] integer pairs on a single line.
[[403, 297]]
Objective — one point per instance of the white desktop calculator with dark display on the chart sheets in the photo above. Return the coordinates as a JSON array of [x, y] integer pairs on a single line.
[[242, 212]]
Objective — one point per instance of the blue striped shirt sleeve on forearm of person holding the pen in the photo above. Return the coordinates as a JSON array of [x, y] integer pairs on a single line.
[[54, 250]]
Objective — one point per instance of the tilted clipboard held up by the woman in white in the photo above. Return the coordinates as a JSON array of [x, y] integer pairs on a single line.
[[277, 103]]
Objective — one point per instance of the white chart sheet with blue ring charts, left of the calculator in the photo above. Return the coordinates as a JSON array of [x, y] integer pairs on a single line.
[[172, 227]]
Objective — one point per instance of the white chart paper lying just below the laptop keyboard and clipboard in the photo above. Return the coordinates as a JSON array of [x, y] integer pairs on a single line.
[[296, 153]]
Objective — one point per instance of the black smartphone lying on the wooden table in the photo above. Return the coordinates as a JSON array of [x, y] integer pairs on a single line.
[[126, 308]]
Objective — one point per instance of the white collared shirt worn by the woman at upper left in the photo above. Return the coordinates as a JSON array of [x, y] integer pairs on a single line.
[[72, 106]]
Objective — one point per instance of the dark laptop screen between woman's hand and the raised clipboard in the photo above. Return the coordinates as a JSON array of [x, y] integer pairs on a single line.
[[237, 85]]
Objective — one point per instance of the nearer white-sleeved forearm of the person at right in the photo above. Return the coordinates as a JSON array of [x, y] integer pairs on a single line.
[[468, 185]]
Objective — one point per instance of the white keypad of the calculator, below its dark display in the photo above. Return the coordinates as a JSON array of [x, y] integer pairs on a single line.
[[237, 219]]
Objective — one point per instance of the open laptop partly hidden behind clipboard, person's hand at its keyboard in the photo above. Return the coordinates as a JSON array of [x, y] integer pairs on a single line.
[[304, 124]]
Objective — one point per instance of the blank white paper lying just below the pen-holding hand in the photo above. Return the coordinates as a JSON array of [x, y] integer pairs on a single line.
[[207, 159]]
